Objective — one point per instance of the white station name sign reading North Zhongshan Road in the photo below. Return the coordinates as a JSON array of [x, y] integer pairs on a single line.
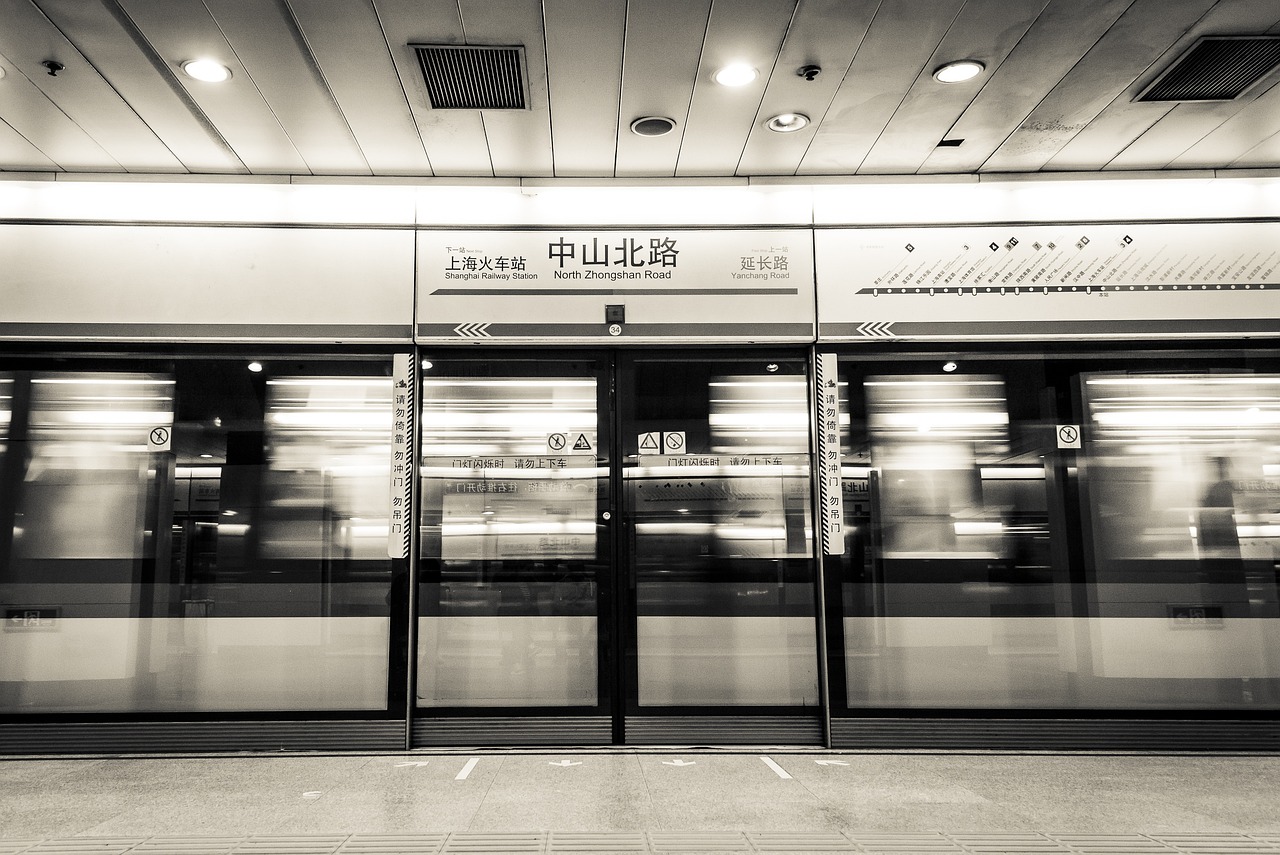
[[668, 285]]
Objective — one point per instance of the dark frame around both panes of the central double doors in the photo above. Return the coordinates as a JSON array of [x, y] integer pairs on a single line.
[[609, 724]]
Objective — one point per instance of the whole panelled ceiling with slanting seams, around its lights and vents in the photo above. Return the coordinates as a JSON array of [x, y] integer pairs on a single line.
[[333, 88]]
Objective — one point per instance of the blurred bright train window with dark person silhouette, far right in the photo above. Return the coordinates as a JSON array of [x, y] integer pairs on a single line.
[[1180, 465]]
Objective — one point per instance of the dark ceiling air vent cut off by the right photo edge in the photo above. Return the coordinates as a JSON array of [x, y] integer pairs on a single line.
[[1217, 68]]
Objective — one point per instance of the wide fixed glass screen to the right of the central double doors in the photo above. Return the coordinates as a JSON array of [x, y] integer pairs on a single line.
[[1162, 596]]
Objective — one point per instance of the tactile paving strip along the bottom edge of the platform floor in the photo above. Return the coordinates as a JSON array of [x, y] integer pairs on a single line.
[[708, 843]]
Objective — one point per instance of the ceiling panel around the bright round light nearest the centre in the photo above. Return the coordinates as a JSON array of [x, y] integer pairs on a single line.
[[720, 117]]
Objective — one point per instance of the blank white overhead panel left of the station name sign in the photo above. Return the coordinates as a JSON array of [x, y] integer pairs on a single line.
[[200, 284]]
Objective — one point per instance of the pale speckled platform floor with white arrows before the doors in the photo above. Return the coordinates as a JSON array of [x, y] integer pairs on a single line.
[[642, 802]]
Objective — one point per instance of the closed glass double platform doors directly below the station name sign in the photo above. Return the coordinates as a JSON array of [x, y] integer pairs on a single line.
[[615, 548]]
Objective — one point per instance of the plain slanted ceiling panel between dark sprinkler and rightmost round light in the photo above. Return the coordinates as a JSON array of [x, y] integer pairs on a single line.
[[898, 48]]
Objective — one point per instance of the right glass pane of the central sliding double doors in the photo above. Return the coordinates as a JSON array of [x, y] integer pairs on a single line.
[[717, 491]]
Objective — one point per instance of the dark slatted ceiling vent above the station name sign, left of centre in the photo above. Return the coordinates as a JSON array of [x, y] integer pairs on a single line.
[[474, 77]]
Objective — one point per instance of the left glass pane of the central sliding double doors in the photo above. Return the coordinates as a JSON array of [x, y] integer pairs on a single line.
[[511, 486]]
